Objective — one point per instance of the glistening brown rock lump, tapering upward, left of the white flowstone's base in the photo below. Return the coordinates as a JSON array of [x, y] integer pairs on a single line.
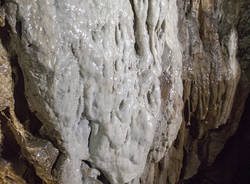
[[40, 153]]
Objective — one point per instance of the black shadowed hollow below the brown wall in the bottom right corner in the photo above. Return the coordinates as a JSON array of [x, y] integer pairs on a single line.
[[232, 166]]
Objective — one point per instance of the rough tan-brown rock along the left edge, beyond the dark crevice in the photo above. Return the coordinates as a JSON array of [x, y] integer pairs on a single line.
[[40, 153]]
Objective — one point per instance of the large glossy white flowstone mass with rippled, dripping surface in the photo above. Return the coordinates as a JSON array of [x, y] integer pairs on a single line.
[[91, 70]]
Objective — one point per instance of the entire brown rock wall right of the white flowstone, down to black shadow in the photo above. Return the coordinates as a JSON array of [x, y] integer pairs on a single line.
[[216, 86]]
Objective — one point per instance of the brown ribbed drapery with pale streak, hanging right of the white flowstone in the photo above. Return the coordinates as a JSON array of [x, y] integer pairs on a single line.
[[211, 73]]
